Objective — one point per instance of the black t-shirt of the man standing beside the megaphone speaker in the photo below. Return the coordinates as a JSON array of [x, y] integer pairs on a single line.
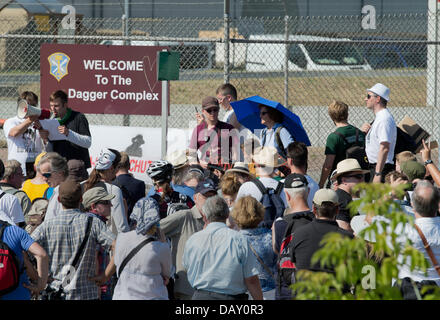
[[78, 123]]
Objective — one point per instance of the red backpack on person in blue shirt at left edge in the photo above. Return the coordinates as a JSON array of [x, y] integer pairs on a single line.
[[9, 265]]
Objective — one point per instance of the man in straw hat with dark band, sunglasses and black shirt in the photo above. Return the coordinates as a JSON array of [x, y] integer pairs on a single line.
[[348, 174]]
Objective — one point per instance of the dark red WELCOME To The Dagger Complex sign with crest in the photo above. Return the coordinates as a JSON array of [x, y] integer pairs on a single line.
[[102, 78]]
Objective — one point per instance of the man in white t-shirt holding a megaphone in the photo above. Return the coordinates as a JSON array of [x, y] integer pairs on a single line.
[[24, 134]]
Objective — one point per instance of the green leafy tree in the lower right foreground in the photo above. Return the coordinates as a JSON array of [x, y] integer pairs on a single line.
[[364, 270]]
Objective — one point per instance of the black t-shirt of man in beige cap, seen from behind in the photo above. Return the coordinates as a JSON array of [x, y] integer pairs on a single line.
[[306, 241]]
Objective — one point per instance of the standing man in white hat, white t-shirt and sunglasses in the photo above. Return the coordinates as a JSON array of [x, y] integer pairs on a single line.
[[381, 135]]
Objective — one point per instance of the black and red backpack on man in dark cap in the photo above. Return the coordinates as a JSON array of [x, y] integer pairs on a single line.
[[285, 266]]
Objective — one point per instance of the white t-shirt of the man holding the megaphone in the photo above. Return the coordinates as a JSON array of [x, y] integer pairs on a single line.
[[25, 147]]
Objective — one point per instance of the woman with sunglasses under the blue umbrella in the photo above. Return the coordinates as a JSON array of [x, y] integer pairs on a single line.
[[274, 135]]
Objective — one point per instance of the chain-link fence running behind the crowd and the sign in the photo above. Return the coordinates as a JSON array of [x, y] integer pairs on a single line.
[[303, 62]]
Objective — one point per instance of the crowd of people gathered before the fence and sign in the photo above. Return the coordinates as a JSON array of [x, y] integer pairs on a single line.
[[219, 223]]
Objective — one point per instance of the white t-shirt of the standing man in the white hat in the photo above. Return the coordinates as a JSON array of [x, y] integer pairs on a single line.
[[384, 129]]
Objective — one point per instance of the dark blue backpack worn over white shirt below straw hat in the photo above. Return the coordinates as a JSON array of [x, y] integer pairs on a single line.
[[272, 202]]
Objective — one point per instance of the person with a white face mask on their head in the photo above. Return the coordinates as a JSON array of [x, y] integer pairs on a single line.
[[102, 175]]
